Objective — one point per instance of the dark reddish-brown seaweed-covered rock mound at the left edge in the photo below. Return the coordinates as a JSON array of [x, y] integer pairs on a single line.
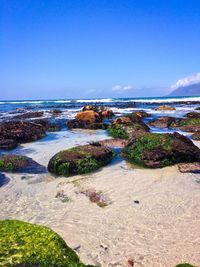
[[20, 132]]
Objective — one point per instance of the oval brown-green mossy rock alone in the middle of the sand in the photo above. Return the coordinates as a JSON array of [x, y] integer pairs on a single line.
[[79, 160]]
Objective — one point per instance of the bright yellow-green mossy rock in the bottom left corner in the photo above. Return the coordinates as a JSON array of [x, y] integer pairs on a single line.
[[26, 244]]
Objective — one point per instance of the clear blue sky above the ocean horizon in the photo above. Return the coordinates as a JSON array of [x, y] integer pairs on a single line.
[[89, 48]]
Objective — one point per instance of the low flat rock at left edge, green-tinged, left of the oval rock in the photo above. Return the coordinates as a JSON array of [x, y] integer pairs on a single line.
[[18, 163]]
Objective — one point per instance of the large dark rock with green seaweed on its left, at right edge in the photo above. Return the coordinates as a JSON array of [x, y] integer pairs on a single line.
[[159, 150]]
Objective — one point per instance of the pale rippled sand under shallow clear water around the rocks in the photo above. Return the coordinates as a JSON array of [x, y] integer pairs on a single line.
[[153, 216]]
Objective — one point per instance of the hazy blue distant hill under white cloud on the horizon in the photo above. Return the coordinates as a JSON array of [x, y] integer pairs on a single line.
[[190, 90]]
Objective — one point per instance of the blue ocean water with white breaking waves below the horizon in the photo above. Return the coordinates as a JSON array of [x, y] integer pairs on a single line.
[[9, 109]]
